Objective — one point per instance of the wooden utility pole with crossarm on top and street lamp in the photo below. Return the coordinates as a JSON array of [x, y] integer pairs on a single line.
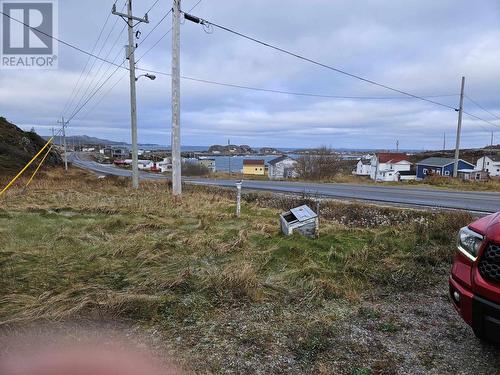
[[129, 18]]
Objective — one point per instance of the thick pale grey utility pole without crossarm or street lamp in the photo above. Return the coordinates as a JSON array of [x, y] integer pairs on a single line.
[[176, 94]]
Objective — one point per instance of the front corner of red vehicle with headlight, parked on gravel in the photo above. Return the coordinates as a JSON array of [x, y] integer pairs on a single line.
[[475, 277]]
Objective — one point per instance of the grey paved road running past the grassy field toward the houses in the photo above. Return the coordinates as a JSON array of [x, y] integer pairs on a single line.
[[483, 202]]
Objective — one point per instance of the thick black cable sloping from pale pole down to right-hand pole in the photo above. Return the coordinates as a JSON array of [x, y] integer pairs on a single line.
[[205, 22]]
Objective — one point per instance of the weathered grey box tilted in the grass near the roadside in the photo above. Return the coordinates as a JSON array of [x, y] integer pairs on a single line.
[[301, 219]]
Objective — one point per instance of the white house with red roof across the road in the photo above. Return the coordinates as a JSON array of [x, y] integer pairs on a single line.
[[385, 166]]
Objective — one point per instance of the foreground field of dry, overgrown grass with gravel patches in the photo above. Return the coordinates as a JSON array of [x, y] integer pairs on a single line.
[[232, 295]]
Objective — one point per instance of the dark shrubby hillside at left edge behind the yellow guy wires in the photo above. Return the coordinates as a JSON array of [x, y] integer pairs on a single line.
[[17, 147]]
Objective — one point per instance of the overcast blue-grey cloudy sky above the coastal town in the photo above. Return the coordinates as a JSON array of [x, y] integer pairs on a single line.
[[420, 46]]
